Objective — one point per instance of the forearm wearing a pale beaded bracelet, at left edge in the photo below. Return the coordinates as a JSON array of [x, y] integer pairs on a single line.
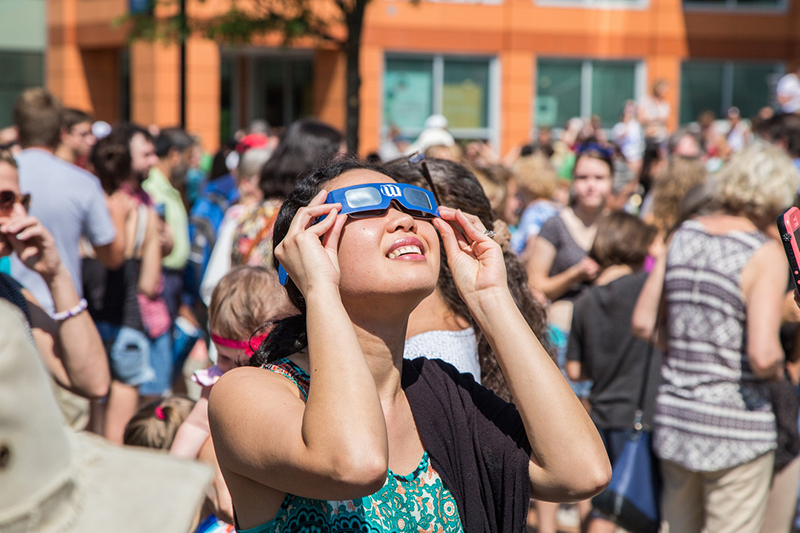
[[78, 344]]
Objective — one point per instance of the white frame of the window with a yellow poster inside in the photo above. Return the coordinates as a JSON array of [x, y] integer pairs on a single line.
[[491, 132]]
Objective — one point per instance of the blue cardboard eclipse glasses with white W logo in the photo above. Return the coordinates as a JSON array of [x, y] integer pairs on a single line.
[[373, 199]]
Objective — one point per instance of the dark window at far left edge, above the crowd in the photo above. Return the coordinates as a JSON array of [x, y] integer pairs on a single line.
[[21, 70]]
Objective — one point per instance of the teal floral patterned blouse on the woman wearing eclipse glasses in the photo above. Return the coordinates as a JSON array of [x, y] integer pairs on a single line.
[[412, 503]]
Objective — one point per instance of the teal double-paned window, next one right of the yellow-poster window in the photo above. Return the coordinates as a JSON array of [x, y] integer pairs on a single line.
[[567, 88]]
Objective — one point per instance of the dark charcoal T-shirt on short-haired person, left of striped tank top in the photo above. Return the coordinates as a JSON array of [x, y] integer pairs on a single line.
[[601, 339]]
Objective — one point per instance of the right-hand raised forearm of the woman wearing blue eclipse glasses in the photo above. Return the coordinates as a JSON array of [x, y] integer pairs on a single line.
[[569, 461]]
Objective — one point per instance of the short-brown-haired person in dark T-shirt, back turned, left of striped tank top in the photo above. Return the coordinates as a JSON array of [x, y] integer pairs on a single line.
[[601, 346]]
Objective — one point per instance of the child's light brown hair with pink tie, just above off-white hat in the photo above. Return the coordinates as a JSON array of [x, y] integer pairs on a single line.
[[156, 423]]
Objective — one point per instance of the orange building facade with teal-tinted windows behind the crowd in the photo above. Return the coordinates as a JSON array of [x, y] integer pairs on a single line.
[[496, 69]]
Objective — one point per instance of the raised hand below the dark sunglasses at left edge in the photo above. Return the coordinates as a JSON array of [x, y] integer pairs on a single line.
[[33, 244]]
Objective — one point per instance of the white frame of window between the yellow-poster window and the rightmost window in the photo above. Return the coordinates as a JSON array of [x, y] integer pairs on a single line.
[[587, 66]]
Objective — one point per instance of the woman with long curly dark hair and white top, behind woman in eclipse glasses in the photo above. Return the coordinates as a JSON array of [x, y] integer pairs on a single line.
[[441, 325]]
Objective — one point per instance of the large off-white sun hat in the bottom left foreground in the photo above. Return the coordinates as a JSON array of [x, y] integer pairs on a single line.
[[52, 479]]
